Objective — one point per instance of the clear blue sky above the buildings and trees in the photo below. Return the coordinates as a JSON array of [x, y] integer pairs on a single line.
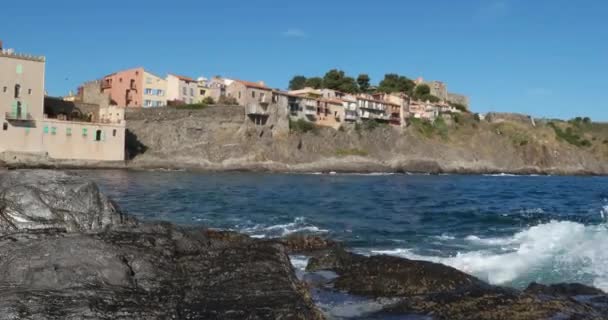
[[547, 58]]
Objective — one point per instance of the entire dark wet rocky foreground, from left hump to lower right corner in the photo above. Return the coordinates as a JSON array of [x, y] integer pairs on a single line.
[[68, 252]]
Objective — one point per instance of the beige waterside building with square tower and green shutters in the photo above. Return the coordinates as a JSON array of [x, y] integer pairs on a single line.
[[26, 128]]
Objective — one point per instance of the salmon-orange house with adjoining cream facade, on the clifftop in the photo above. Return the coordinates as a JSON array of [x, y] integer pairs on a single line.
[[135, 88]]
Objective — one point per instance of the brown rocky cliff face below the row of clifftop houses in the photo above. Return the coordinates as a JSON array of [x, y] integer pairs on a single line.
[[221, 138]]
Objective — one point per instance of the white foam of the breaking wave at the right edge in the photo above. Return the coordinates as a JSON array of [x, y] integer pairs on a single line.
[[568, 250]]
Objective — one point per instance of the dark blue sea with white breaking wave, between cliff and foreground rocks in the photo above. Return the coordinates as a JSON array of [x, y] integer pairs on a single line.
[[507, 230]]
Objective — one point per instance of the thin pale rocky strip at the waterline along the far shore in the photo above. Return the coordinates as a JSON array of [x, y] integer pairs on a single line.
[[351, 165]]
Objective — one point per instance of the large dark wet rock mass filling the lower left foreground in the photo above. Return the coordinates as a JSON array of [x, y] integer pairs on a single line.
[[103, 265]]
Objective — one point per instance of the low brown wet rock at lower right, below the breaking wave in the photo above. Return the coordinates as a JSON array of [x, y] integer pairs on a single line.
[[442, 292]]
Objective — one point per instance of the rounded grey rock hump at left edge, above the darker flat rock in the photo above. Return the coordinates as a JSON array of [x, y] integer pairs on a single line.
[[54, 200]]
